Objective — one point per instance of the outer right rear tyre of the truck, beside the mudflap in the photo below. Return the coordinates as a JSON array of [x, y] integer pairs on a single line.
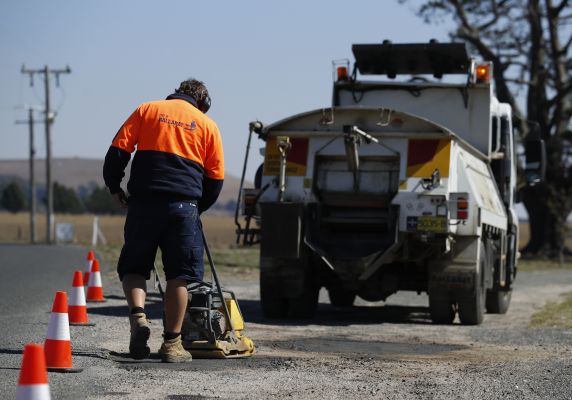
[[472, 308]]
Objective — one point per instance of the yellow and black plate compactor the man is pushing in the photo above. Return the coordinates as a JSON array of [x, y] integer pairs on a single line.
[[213, 323]]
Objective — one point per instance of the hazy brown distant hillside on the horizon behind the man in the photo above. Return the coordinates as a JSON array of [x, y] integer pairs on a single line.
[[82, 173]]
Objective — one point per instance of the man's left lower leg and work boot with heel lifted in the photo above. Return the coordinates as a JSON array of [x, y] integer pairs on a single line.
[[135, 289]]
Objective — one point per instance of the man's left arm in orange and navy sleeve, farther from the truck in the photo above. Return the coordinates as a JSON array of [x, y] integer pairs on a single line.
[[119, 152]]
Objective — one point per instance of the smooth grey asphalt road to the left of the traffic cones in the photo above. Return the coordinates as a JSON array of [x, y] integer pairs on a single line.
[[30, 276]]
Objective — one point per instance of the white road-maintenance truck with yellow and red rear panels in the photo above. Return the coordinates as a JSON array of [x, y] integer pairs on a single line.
[[399, 185]]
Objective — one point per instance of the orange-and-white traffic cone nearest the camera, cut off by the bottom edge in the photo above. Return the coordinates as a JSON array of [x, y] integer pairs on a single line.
[[33, 382]]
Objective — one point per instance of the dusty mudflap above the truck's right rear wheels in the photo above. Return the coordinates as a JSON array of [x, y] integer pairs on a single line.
[[456, 273]]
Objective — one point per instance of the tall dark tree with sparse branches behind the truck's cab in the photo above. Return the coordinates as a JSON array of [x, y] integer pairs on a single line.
[[529, 42]]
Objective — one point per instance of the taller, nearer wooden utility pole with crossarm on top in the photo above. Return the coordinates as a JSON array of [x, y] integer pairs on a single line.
[[48, 119]]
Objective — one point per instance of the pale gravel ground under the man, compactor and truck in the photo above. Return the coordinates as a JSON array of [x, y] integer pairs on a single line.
[[373, 350]]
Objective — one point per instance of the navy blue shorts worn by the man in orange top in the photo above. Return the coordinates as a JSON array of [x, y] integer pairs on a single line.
[[172, 226]]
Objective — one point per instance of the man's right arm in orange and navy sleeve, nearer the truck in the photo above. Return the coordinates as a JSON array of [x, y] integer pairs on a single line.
[[214, 170]]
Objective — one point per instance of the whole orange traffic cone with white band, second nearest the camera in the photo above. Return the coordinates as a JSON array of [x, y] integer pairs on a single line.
[[58, 344]]
